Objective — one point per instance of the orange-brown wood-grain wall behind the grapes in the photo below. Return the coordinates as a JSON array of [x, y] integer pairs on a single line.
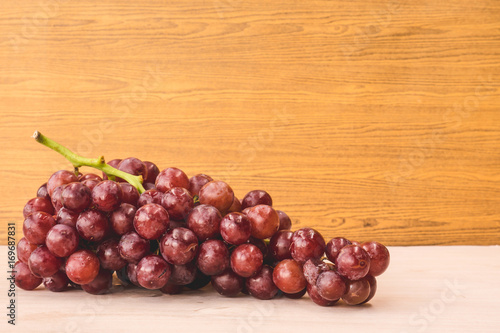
[[368, 119]]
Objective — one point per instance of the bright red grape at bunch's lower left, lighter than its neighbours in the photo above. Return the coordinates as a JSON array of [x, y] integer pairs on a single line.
[[82, 267]]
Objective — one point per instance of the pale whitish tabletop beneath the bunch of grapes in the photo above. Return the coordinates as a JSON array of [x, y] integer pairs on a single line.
[[426, 289]]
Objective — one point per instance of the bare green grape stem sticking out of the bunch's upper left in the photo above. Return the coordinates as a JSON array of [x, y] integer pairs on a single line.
[[97, 163]]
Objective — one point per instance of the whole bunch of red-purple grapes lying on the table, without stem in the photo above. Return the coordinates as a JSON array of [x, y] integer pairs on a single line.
[[183, 233]]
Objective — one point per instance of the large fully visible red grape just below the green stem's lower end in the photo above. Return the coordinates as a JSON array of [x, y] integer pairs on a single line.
[[151, 221]]
